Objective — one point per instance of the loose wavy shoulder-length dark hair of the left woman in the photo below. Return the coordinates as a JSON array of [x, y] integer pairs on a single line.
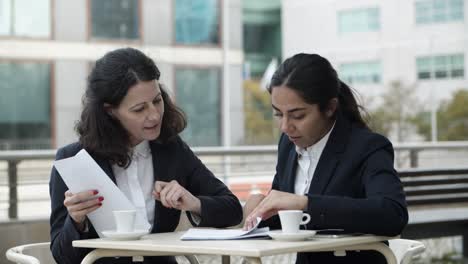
[[108, 83]]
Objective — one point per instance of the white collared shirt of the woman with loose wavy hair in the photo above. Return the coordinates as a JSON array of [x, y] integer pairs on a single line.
[[136, 181]]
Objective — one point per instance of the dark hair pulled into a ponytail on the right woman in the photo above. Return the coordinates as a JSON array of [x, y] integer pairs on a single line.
[[315, 80]]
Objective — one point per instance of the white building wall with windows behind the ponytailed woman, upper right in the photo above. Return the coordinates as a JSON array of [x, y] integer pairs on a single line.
[[311, 26]]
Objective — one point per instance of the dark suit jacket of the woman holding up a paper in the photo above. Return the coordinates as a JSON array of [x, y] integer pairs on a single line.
[[171, 161]]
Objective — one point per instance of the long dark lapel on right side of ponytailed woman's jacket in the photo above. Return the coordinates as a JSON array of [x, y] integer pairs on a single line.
[[330, 156]]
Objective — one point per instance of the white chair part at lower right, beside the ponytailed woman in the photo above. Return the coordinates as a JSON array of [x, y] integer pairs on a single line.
[[406, 250]]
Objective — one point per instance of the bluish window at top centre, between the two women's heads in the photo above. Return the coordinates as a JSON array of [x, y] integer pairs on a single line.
[[197, 22]]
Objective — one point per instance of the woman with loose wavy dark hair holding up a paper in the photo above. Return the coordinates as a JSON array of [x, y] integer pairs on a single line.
[[130, 127]]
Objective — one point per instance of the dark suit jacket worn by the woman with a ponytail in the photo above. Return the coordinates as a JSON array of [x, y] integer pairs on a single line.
[[355, 187]]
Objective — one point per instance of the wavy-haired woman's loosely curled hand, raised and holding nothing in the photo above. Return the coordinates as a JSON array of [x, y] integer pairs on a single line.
[[173, 195]]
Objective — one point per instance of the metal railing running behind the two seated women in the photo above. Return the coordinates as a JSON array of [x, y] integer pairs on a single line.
[[234, 165]]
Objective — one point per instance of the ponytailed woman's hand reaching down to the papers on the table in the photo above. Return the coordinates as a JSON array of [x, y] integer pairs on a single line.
[[274, 202]]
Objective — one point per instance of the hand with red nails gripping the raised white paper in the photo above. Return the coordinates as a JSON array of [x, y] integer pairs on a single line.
[[82, 203]]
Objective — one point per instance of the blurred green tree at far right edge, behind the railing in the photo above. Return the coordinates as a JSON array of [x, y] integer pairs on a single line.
[[452, 118]]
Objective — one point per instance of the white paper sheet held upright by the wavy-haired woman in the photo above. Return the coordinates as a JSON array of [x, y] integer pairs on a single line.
[[82, 173]]
